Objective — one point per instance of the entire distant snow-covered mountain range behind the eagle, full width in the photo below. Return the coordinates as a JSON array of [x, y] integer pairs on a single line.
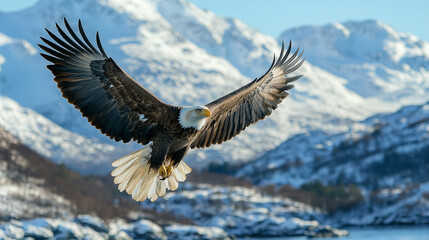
[[188, 56]]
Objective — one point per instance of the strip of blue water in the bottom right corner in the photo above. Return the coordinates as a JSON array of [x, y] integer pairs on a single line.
[[376, 233]]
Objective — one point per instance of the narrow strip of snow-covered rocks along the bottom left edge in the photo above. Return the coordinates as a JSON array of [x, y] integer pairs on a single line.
[[91, 227]]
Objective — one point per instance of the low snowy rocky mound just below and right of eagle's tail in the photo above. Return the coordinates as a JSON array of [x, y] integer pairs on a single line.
[[240, 211]]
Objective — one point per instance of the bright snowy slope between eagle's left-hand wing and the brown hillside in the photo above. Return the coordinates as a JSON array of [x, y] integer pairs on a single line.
[[56, 143]]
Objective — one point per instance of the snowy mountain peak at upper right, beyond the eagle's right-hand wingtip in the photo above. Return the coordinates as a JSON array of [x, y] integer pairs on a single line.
[[377, 61]]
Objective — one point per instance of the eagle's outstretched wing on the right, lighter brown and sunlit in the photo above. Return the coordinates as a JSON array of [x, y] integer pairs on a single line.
[[245, 106]]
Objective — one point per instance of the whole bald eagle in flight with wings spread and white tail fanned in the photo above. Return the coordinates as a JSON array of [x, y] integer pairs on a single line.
[[122, 109]]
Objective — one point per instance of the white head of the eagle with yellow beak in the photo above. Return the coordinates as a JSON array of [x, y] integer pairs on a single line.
[[194, 116]]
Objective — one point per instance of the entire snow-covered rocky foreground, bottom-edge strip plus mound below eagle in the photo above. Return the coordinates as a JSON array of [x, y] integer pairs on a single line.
[[217, 213]]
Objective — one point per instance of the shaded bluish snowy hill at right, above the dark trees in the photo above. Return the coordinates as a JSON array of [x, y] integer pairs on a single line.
[[382, 151]]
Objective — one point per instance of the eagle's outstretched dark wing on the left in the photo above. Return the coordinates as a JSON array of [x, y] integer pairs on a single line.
[[111, 100]]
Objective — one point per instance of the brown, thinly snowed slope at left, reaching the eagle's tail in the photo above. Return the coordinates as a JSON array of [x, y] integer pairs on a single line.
[[33, 186]]
